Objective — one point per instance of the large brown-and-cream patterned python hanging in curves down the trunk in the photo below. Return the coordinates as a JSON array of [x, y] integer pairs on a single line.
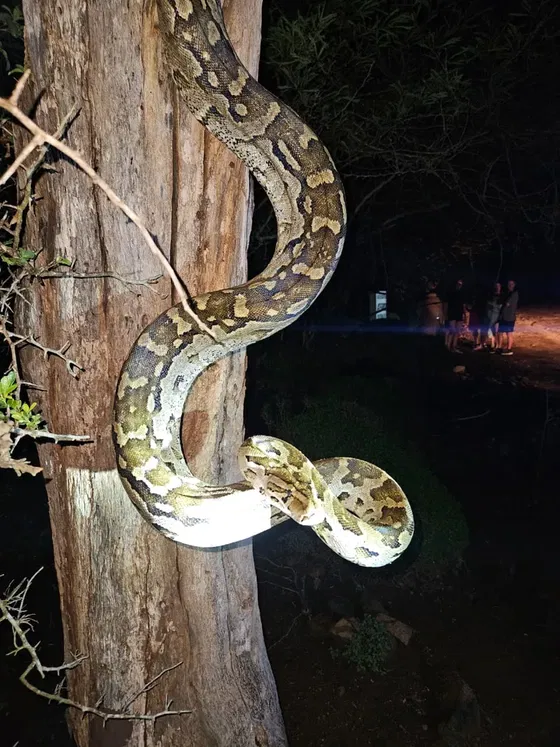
[[356, 508]]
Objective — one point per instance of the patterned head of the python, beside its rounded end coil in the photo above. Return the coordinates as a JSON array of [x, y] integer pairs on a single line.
[[284, 476]]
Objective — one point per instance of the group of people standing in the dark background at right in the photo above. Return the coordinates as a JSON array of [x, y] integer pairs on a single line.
[[491, 319]]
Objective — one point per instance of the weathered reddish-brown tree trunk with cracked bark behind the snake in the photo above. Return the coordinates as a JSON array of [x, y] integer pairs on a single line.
[[134, 601]]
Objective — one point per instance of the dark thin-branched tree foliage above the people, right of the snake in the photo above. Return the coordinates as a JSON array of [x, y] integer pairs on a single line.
[[441, 117]]
